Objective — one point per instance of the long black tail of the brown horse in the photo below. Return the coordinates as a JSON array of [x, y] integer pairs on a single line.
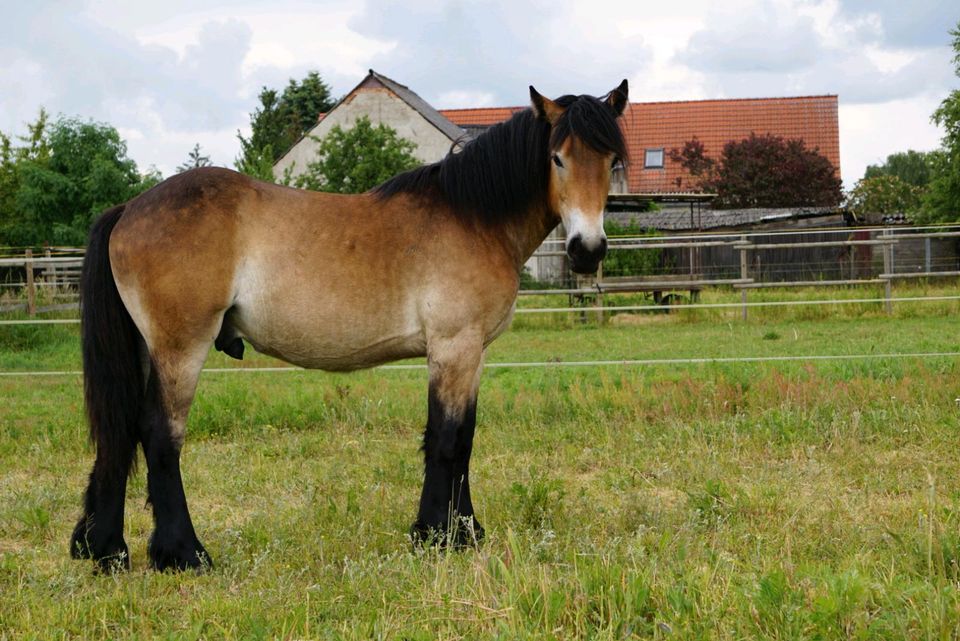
[[113, 382]]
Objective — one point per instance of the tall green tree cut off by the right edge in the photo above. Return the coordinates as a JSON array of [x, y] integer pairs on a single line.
[[942, 200]]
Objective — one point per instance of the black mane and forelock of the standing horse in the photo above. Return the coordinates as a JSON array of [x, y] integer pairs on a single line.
[[504, 171]]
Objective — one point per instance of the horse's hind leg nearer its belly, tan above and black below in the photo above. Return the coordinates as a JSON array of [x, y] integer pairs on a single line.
[[170, 390]]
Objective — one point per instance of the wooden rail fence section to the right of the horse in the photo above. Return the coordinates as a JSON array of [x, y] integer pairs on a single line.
[[833, 257]]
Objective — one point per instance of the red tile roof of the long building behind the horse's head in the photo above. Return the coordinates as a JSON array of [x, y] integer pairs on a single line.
[[667, 125]]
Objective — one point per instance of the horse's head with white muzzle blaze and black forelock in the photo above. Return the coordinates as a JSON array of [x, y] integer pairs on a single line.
[[586, 143]]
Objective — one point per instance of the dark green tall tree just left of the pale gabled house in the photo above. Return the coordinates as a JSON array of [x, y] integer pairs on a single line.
[[280, 121]]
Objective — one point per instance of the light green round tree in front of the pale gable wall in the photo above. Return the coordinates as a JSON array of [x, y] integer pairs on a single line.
[[354, 160]]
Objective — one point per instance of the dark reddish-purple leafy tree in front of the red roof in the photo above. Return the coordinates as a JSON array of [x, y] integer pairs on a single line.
[[770, 171]]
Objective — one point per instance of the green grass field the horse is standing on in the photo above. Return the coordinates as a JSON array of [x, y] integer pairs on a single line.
[[715, 501]]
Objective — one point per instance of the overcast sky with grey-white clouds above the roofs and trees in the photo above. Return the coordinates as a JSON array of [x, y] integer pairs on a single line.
[[174, 73]]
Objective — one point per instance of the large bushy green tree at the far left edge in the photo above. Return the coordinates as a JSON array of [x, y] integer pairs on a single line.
[[61, 178]]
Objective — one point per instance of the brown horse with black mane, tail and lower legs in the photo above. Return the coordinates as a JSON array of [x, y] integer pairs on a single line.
[[426, 264]]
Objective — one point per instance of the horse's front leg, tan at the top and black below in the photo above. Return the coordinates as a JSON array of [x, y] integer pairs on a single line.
[[446, 513]]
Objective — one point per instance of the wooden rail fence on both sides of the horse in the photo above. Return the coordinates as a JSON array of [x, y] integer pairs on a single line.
[[779, 259]]
